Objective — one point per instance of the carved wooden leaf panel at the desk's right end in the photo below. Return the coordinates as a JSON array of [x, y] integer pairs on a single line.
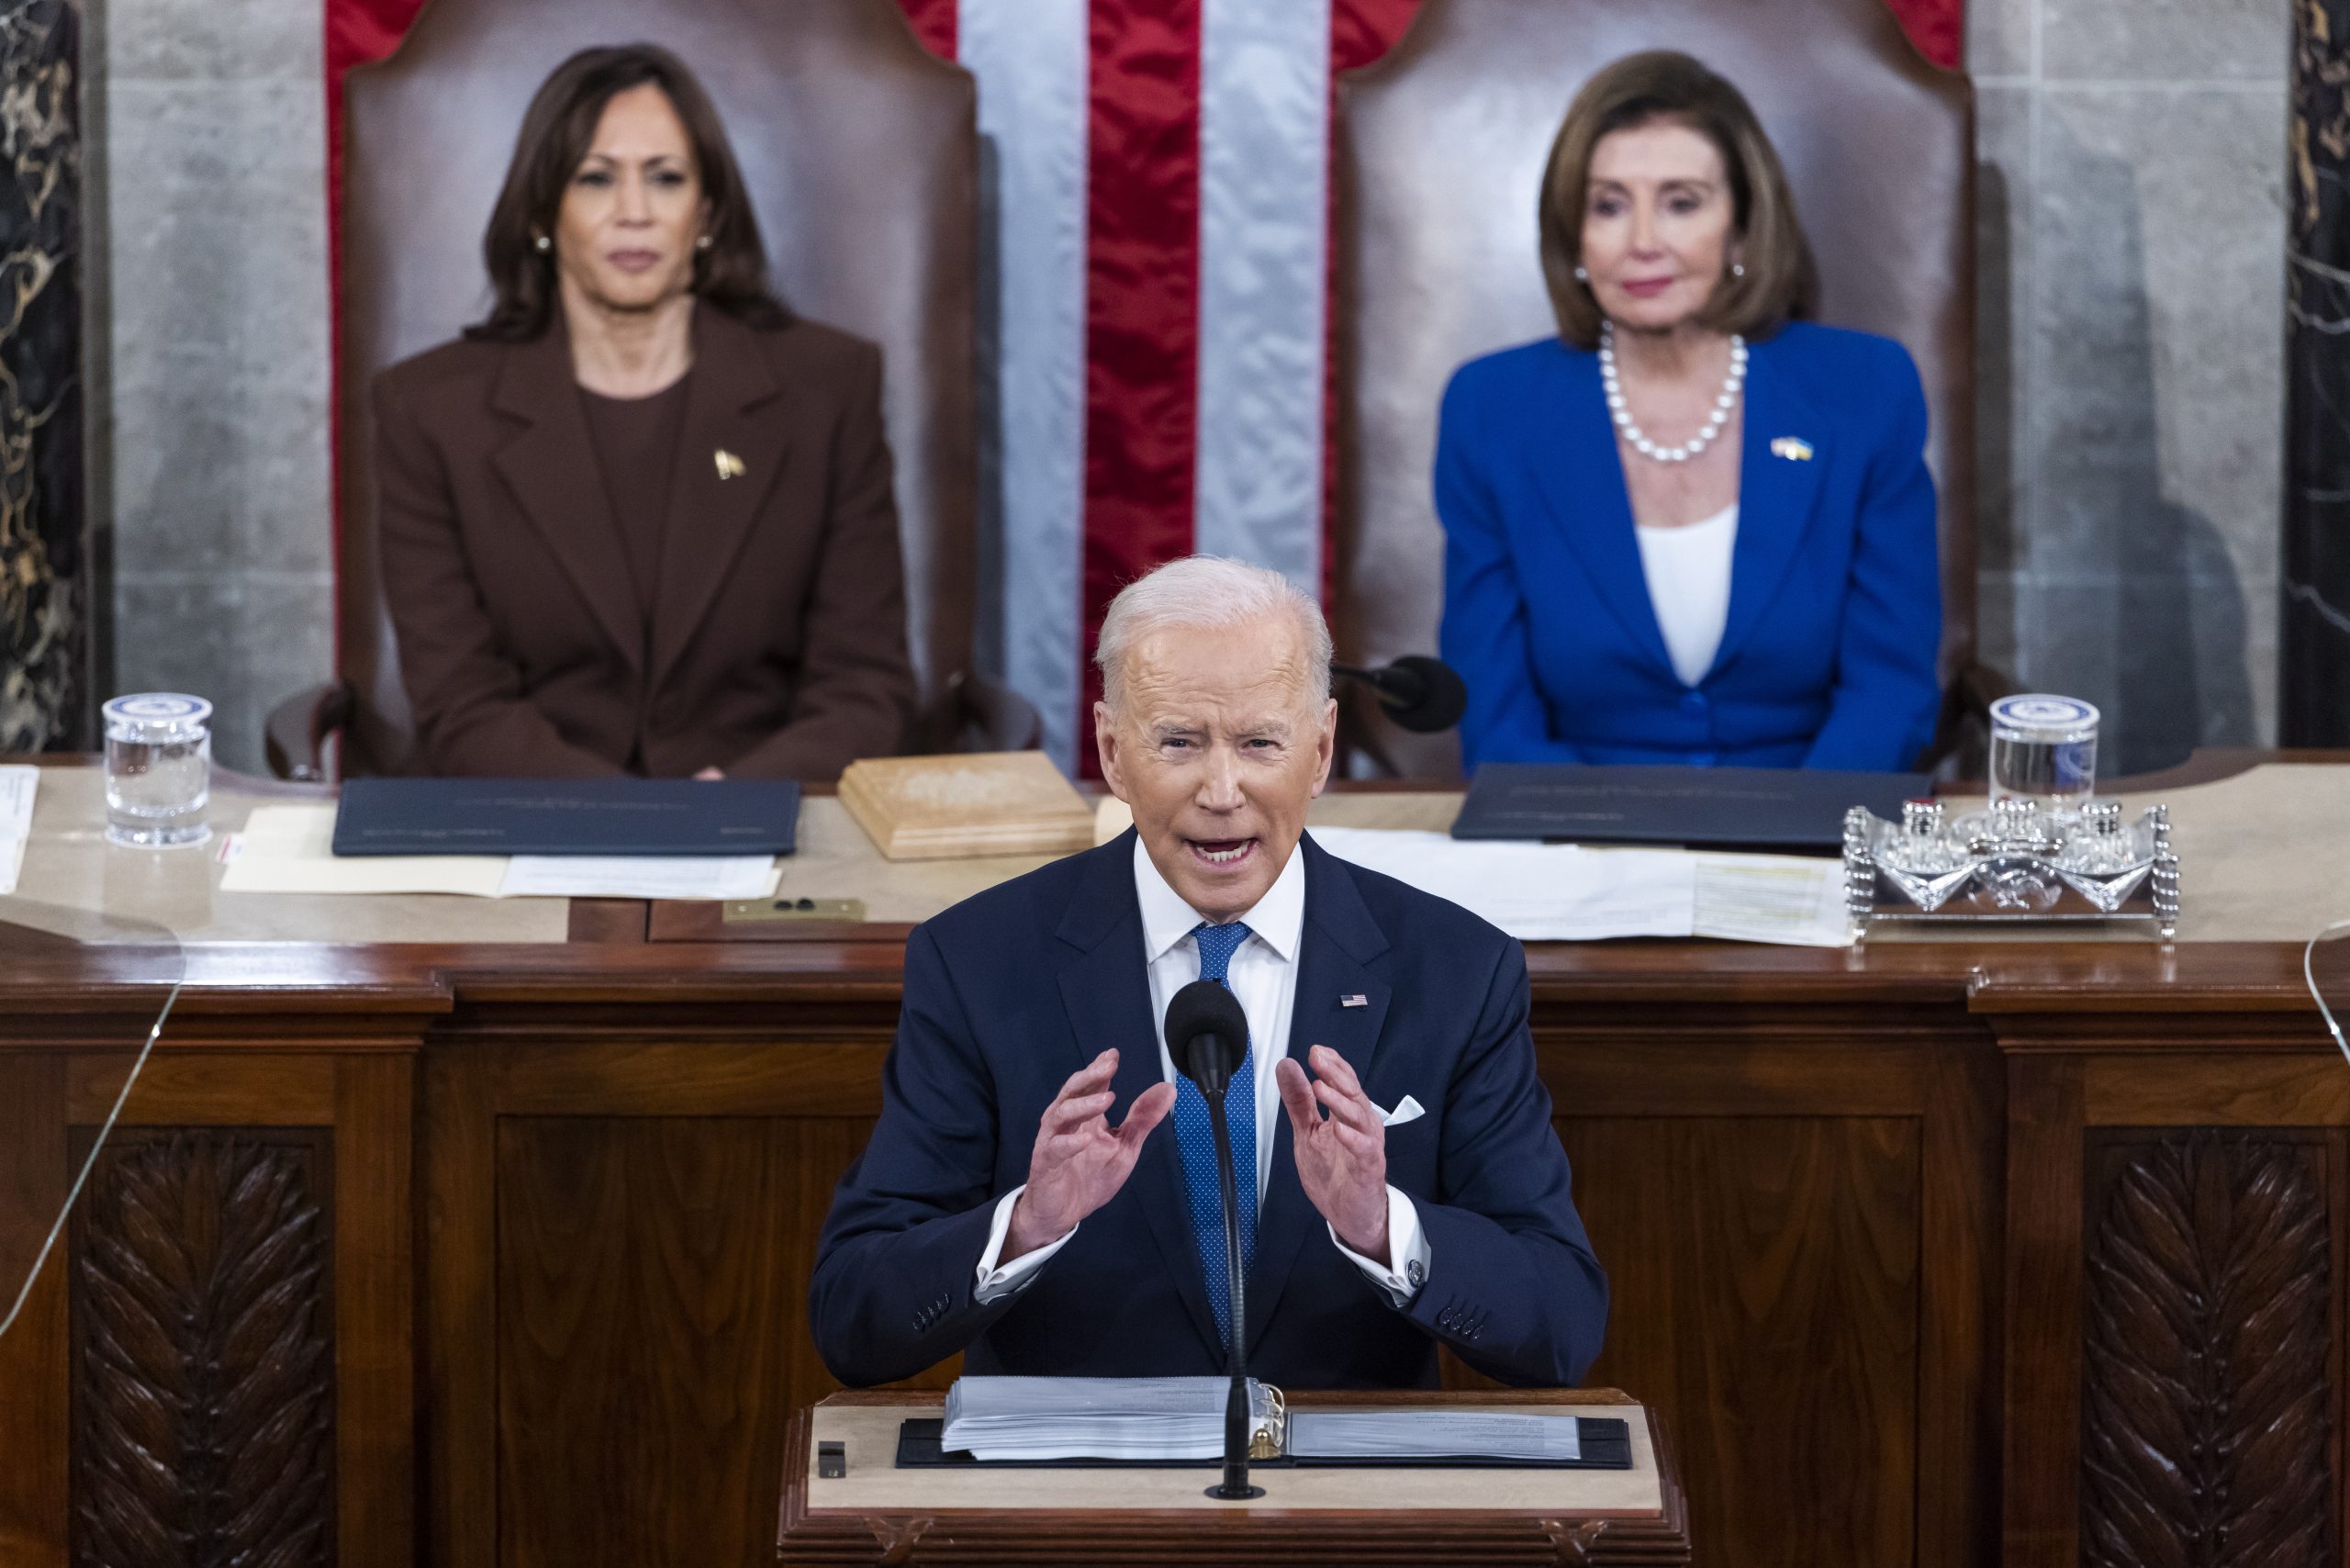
[[2205, 1405]]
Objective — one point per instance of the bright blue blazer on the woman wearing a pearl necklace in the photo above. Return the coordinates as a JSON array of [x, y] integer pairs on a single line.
[[1834, 589]]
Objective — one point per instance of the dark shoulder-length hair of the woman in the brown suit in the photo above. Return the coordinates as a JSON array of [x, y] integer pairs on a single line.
[[549, 152]]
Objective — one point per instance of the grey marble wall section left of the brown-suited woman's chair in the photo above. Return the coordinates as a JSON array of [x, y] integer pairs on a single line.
[[222, 521]]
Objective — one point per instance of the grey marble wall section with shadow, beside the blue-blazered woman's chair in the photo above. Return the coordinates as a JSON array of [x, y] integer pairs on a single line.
[[2133, 359]]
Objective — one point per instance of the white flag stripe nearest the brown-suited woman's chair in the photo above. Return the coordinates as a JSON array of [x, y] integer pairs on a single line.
[[1033, 65]]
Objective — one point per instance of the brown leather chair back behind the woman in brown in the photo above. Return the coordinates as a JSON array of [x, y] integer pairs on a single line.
[[861, 156]]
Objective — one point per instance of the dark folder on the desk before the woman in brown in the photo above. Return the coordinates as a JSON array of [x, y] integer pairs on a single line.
[[568, 817]]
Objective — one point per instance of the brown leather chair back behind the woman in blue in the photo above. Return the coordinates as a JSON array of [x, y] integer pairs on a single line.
[[1439, 163]]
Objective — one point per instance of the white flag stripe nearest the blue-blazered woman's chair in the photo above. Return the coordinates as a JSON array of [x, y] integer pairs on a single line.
[[1263, 152]]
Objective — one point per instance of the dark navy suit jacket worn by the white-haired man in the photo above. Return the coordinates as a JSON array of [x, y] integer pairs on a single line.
[[1014, 991]]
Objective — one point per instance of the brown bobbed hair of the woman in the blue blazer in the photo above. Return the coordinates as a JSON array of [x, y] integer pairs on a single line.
[[1780, 281]]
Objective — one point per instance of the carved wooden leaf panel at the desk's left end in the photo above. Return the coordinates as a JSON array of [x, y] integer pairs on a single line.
[[206, 1365]]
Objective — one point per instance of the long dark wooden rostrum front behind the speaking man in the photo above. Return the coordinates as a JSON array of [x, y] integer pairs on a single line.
[[1907, 1242]]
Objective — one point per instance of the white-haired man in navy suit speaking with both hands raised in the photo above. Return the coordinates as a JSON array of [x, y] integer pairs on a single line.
[[1402, 1186]]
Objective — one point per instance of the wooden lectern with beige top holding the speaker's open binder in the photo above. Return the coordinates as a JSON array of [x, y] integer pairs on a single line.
[[1423, 1515]]
